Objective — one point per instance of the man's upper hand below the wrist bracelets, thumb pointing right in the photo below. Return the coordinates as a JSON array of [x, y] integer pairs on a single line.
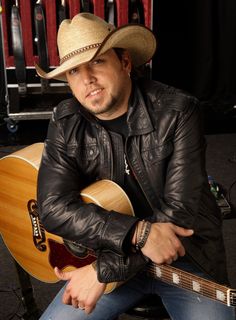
[[163, 244]]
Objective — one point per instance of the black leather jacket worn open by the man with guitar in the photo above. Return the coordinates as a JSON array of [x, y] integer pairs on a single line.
[[165, 150]]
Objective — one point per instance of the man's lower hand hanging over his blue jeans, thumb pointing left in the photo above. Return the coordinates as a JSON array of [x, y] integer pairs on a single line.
[[83, 289]]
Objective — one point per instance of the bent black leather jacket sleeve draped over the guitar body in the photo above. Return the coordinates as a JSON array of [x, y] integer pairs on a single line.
[[61, 209]]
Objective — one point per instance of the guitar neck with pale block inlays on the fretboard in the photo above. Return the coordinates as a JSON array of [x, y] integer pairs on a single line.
[[193, 283]]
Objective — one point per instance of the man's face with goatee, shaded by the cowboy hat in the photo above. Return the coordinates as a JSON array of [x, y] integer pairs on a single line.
[[103, 85]]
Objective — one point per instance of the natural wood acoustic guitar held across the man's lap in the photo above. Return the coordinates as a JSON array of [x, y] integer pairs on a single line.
[[38, 251]]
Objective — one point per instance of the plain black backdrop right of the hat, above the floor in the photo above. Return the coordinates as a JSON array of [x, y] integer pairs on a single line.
[[197, 52]]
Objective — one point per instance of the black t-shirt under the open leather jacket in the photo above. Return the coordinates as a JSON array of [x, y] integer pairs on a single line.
[[131, 187]]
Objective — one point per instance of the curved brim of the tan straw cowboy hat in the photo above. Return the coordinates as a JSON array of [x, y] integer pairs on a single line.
[[137, 39]]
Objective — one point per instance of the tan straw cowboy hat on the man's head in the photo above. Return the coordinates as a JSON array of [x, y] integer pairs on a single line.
[[86, 36]]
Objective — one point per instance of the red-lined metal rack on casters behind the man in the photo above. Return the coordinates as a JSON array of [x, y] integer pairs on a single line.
[[33, 103]]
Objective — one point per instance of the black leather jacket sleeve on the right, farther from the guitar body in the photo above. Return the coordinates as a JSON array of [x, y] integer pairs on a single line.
[[186, 177]]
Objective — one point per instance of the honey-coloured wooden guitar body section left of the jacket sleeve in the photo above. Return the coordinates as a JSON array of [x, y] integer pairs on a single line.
[[18, 177]]
